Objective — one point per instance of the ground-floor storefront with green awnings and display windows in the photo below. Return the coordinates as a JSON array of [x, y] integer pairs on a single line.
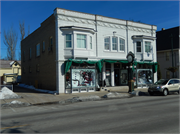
[[90, 75]]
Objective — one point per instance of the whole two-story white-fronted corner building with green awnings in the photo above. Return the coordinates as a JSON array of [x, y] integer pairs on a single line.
[[75, 52]]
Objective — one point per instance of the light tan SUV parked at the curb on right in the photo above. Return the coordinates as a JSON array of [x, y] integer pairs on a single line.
[[165, 86]]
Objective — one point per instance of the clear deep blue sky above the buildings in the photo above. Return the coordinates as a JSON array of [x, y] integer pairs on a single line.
[[163, 14]]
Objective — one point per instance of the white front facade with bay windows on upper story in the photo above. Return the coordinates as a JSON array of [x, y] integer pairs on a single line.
[[93, 29]]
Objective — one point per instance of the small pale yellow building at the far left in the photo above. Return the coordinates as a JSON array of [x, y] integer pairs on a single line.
[[9, 69]]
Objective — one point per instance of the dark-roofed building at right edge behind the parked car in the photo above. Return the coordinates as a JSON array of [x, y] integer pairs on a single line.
[[164, 51]]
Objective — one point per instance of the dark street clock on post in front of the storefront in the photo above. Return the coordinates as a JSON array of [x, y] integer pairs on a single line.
[[130, 58]]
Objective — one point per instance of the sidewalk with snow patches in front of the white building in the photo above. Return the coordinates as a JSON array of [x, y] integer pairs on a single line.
[[31, 97]]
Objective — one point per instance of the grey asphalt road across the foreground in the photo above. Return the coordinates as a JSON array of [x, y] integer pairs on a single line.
[[145, 114]]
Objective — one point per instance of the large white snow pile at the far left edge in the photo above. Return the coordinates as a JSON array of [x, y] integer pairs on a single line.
[[6, 93]]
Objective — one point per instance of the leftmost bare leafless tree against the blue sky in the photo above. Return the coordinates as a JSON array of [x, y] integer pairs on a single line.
[[10, 40]]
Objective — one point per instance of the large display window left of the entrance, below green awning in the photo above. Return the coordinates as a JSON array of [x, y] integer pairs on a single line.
[[83, 78]]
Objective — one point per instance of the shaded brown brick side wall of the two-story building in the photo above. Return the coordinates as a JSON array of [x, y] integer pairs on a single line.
[[46, 77]]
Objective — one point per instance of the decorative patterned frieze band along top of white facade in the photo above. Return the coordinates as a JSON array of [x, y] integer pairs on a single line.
[[105, 24]]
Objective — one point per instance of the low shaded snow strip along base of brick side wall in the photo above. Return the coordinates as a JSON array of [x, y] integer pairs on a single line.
[[39, 90]]
